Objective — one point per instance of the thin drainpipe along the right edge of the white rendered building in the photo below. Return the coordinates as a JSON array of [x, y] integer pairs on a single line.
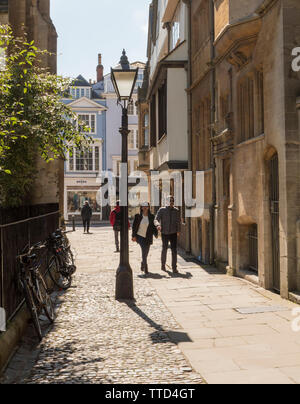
[[190, 116]]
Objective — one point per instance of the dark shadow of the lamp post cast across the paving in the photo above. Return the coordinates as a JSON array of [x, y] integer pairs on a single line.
[[161, 335]]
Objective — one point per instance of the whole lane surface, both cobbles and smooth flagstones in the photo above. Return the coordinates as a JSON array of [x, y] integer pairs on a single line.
[[196, 327]]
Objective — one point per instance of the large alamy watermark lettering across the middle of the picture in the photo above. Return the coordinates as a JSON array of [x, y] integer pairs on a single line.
[[188, 189]]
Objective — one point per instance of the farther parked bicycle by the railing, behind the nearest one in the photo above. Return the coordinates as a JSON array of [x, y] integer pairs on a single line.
[[61, 264]]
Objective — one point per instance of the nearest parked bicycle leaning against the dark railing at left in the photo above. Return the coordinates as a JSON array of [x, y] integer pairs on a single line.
[[36, 293]]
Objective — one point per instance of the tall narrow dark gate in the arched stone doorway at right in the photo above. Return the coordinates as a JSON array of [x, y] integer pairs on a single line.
[[274, 206]]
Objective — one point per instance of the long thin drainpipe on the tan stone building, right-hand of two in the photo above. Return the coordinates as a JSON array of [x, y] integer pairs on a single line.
[[212, 132]]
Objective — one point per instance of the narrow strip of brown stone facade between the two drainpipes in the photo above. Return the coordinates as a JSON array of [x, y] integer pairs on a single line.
[[201, 100]]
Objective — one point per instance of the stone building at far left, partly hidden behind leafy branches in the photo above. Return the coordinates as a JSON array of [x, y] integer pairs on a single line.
[[34, 15]]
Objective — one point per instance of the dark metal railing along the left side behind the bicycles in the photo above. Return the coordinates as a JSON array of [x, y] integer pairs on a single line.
[[19, 228]]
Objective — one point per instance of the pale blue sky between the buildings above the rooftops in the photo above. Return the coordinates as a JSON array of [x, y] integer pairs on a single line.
[[86, 28]]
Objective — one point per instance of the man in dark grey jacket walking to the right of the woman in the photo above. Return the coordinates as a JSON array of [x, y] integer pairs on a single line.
[[168, 222]]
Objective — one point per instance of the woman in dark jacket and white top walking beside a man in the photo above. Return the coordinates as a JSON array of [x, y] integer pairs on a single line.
[[143, 231]]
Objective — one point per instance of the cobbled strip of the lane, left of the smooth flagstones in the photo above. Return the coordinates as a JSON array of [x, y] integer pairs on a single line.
[[98, 340]]
